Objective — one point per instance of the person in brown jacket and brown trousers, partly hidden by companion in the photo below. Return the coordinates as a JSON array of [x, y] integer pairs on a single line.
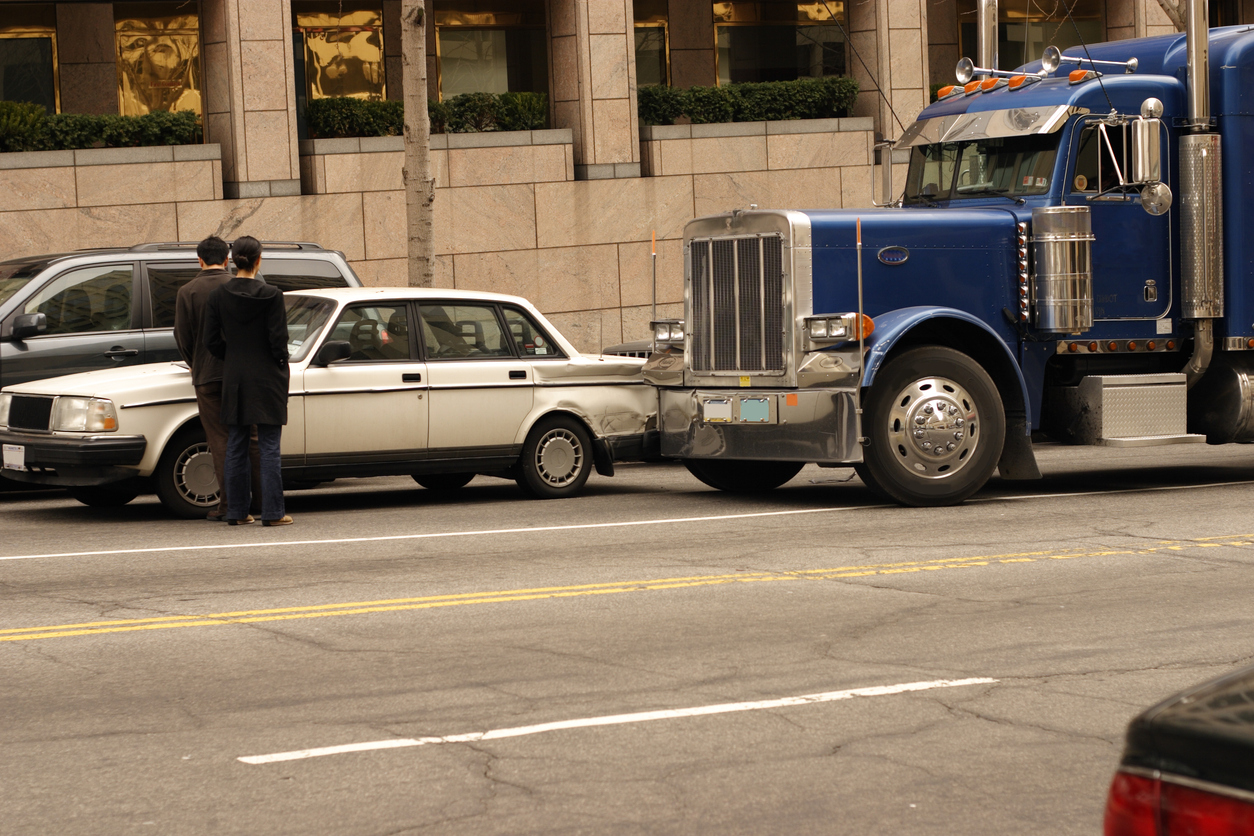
[[206, 369]]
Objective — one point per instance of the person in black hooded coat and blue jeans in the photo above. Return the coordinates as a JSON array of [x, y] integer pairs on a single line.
[[246, 327]]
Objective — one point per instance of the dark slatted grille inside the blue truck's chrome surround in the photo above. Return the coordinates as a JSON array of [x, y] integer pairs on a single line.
[[738, 305]]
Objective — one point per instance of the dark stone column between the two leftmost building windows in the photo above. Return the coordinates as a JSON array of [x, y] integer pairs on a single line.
[[88, 58]]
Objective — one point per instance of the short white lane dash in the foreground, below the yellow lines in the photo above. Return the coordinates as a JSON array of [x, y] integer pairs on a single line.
[[618, 720]]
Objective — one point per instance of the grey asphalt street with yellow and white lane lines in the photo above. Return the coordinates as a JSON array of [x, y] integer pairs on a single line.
[[628, 662]]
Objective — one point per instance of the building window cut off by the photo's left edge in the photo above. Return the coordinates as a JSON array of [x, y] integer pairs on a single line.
[[28, 56]]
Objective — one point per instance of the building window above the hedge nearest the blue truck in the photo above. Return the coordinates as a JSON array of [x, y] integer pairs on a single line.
[[776, 41]]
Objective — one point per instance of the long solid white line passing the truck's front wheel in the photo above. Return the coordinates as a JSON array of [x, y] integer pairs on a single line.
[[595, 526]]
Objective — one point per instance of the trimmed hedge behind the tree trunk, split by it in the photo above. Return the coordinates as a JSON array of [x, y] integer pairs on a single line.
[[467, 113]]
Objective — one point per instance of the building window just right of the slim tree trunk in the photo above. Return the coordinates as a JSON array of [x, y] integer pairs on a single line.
[[491, 47]]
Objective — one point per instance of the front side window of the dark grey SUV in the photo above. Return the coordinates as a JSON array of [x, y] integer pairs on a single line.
[[91, 299]]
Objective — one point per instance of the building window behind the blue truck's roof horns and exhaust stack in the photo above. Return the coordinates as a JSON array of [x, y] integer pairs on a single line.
[[1024, 31]]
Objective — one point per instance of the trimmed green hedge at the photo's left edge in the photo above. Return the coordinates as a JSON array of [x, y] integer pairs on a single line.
[[27, 127]]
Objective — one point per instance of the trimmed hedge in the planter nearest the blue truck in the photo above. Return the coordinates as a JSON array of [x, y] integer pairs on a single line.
[[751, 102]]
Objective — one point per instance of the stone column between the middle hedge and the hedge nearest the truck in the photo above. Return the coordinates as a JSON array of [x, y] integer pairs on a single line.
[[593, 50]]
